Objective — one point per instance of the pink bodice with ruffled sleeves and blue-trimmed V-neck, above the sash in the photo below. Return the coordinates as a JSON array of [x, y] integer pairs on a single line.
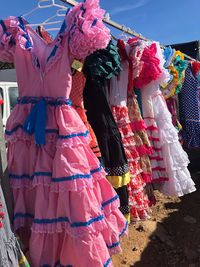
[[44, 69]]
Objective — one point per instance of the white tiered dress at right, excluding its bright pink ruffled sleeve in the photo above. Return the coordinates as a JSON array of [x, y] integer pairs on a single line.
[[173, 159]]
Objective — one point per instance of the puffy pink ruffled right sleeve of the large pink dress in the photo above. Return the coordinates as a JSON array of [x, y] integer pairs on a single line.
[[86, 30]]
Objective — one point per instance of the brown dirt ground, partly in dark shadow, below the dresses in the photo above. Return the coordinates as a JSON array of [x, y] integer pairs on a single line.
[[171, 238]]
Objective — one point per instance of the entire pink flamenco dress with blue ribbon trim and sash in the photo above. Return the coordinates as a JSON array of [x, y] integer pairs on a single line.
[[65, 210]]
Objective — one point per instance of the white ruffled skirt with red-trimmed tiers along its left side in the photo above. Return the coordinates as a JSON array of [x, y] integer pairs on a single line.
[[170, 159]]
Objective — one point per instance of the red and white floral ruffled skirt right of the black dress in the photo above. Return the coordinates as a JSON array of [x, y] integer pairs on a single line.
[[138, 201]]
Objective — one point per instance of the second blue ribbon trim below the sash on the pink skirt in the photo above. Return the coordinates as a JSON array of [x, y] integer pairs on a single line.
[[49, 174]]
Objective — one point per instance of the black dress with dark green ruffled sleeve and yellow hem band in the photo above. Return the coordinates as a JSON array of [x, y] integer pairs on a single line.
[[99, 68]]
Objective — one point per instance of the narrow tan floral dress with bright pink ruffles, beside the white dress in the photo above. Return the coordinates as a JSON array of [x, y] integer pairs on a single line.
[[137, 124]]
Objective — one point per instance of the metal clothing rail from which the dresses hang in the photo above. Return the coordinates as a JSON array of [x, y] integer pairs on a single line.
[[122, 27]]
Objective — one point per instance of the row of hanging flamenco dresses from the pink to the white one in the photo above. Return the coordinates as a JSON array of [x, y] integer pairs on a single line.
[[63, 155]]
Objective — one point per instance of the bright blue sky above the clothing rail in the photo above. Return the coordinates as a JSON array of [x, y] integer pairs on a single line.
[[167, 21]]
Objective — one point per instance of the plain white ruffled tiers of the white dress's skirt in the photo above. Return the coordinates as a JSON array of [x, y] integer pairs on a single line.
[[175, 158]]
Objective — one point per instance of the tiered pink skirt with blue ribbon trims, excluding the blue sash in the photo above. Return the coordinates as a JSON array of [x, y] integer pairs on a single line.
[[61, 193]]
